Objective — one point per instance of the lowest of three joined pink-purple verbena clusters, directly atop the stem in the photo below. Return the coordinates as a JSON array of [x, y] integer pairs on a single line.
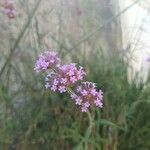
[[86, 96]]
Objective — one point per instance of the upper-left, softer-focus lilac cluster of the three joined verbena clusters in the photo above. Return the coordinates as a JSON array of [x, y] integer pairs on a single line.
[[47, 60]]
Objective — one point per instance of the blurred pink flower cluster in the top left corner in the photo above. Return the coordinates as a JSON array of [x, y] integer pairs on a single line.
[[9, 8]]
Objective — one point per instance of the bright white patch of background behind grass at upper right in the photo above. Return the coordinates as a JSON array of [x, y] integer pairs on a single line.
[[136, 31]]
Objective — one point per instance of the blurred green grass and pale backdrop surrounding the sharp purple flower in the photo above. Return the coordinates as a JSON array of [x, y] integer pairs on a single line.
[[110, 39]]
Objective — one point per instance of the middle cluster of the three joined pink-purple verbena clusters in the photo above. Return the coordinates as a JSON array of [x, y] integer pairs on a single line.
[[64, 77]]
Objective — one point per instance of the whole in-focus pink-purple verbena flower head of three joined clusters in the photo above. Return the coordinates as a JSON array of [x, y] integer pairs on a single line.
[[63, 77]]
